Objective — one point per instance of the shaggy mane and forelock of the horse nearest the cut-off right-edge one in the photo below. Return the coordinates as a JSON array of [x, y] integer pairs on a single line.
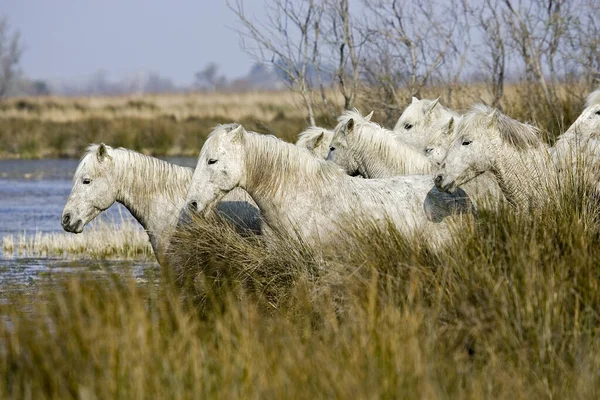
[[517, 134]]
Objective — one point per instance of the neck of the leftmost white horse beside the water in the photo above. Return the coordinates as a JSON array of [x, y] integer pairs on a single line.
[[145, 183]]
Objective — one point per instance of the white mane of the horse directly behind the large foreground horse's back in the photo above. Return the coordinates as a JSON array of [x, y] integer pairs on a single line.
[[371, 138]]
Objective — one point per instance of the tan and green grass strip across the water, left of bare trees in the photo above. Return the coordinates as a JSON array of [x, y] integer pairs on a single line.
[[157, 125]]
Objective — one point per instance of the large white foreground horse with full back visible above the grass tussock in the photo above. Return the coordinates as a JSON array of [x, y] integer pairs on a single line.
[[308, 198]]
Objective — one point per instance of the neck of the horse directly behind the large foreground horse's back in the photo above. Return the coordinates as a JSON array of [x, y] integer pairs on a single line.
[[381, 155]]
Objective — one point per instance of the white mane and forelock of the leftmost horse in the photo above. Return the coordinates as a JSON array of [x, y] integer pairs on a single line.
[[149, 174]]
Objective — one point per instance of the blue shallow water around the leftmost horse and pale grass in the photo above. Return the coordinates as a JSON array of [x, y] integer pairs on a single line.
[[32, 196]]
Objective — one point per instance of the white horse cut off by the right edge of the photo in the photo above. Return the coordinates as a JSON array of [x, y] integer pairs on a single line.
[[580, 144]]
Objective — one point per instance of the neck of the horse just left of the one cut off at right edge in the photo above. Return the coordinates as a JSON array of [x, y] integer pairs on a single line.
[[522, 176]]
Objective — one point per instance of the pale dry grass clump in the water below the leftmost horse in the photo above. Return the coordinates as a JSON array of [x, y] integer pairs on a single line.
[[101, 239]]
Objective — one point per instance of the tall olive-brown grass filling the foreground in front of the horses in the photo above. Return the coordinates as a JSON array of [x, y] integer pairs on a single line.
[[510, 310]]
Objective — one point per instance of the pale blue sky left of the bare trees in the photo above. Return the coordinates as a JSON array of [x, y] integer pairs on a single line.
[[67, 39]]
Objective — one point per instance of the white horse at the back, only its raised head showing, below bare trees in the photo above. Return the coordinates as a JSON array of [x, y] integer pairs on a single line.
[[416, 122]]
